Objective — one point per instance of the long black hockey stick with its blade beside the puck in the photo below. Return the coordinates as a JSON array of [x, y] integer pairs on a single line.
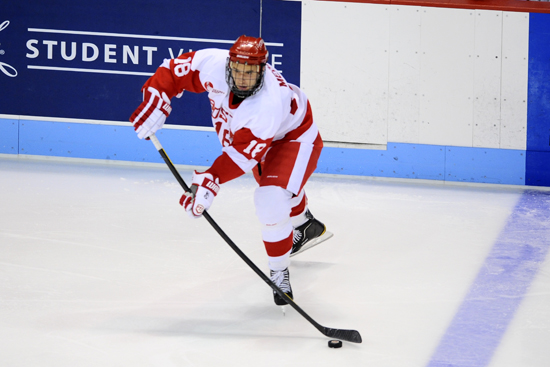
[[347, 335]]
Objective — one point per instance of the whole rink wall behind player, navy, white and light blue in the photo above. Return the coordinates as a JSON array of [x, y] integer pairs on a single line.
[[403, 90]]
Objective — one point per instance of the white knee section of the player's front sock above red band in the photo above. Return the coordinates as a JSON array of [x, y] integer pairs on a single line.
[[272, 204]]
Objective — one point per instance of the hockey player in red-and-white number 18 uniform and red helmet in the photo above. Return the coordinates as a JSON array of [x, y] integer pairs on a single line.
[[264, 124]]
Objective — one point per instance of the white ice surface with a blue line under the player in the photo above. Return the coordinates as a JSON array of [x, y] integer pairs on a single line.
[[100, 266]]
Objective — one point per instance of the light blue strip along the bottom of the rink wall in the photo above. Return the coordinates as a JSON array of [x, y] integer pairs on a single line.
[[200, 148]]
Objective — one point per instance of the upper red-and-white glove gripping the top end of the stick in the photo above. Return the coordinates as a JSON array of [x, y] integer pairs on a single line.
[[151, 113]]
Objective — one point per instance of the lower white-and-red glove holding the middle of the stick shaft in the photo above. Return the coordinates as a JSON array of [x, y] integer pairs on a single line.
[[204, 189]]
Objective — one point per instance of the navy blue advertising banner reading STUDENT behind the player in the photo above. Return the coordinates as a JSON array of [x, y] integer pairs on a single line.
[[88, 60]]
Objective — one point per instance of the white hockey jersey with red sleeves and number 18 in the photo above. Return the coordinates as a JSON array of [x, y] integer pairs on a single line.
[[278, 112]]
